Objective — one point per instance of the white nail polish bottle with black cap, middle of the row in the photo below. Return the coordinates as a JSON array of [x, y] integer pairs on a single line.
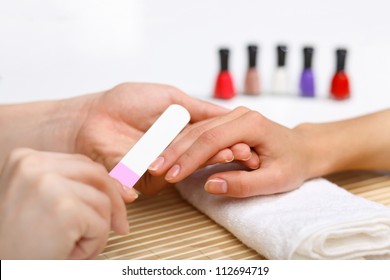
[[280, 77]]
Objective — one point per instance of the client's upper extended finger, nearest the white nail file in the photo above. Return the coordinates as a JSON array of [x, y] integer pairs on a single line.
[[184, 141]]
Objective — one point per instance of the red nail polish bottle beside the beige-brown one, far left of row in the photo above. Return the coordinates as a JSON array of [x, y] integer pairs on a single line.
[[224, 88]]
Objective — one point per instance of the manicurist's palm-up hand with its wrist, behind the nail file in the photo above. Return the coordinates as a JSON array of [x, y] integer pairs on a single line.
[[102, 126]]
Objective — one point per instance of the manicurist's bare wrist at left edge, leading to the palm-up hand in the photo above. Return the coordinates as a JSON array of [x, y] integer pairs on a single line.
[[45, 125]]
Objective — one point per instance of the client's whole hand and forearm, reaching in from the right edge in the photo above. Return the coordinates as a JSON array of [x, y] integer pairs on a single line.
[[287, 157]]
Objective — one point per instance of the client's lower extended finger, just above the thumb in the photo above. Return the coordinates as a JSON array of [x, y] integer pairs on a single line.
[[246, 130]]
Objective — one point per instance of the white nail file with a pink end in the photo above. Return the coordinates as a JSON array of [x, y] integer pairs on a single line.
[[135, 163]]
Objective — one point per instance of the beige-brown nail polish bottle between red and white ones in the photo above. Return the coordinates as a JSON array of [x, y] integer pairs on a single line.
[[252, 81]]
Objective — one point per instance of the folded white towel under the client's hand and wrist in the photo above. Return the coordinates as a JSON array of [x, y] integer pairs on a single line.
[[319, 220]]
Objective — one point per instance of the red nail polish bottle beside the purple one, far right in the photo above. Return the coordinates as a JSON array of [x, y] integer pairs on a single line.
[[340, 82]]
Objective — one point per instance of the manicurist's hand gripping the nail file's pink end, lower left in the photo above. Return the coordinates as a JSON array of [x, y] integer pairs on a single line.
[[57, 206]]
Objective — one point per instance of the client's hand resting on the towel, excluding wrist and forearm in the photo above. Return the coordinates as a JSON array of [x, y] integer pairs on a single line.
[[282, 164]]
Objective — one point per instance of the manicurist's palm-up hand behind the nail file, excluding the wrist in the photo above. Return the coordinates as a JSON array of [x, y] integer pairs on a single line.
[[116, 119]]
